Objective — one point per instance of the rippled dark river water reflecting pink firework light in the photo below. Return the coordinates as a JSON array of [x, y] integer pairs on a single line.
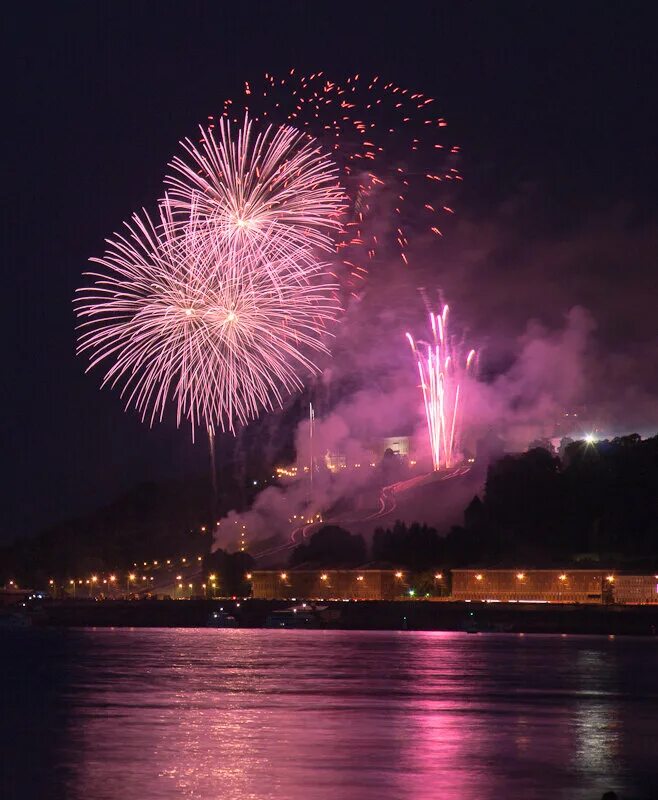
[[313, 715]]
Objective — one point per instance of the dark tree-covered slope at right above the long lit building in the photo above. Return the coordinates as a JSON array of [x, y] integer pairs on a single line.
[[595, 502]]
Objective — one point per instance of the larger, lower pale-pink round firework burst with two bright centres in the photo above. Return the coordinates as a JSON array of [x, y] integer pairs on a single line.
[[219, 332]]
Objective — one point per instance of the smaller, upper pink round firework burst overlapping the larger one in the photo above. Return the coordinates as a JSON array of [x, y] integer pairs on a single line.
[[256, 189]]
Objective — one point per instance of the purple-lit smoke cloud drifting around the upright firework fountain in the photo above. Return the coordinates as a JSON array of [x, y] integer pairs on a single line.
[[566, 334]]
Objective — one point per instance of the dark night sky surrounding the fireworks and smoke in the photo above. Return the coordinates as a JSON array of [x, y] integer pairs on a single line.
[[558, 97]]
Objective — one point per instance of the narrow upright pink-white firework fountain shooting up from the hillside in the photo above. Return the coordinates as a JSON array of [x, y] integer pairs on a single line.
[[442, 374]]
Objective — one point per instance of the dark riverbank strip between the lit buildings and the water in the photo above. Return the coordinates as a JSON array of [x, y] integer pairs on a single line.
[[360, 615]]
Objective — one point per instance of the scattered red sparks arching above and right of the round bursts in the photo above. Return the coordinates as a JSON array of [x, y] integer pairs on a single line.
[[384, 137]]
